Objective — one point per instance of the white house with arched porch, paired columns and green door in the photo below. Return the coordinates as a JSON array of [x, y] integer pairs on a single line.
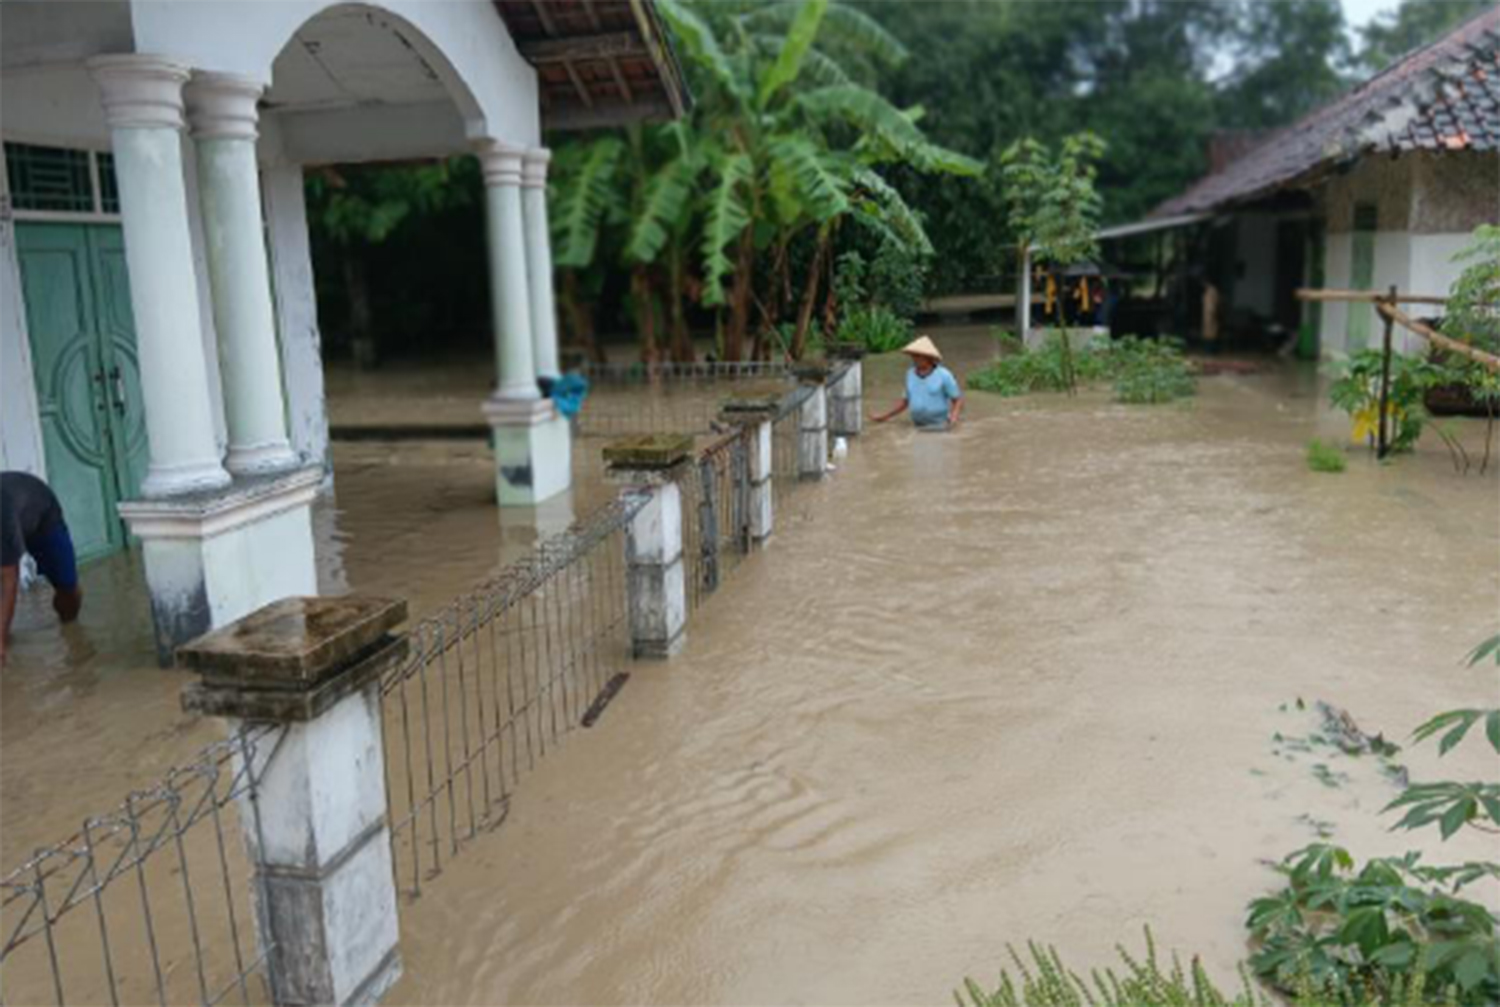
[[158, 326]]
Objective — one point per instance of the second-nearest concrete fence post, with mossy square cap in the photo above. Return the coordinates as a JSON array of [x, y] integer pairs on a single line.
[[656, 579]]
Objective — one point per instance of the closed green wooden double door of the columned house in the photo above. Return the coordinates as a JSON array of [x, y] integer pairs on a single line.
[[88, 379]]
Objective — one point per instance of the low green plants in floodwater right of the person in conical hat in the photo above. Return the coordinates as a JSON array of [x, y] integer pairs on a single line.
[[1142, 371]]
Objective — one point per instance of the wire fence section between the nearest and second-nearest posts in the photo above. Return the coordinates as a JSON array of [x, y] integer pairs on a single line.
[[494, 682]]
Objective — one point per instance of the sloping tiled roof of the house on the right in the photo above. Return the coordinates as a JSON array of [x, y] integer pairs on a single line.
[[1444, 97]]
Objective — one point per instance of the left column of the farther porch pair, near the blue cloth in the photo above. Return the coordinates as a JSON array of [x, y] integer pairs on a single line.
[[508, 271]]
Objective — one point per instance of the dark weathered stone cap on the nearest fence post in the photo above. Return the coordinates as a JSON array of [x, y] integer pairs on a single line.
[[295, 658]]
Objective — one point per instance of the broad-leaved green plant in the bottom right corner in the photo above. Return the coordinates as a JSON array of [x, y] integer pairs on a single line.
[[1394, 927]]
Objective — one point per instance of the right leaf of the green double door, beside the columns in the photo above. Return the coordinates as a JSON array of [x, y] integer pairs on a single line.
[[121, 362]]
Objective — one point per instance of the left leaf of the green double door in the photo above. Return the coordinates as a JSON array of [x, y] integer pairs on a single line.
[[70, 373]]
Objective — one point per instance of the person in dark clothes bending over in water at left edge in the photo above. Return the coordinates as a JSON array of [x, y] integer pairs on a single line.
[[32, 523]]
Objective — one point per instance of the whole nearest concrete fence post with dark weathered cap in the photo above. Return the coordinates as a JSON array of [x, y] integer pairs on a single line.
[[316, 822]]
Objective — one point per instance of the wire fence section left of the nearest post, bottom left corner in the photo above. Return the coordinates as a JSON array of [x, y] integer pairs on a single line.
[[146, 904]]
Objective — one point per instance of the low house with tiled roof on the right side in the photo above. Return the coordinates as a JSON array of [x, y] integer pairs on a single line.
[[1381, 187]]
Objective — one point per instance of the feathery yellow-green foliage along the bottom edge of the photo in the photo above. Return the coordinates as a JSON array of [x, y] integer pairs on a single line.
[[1042, 979]]
